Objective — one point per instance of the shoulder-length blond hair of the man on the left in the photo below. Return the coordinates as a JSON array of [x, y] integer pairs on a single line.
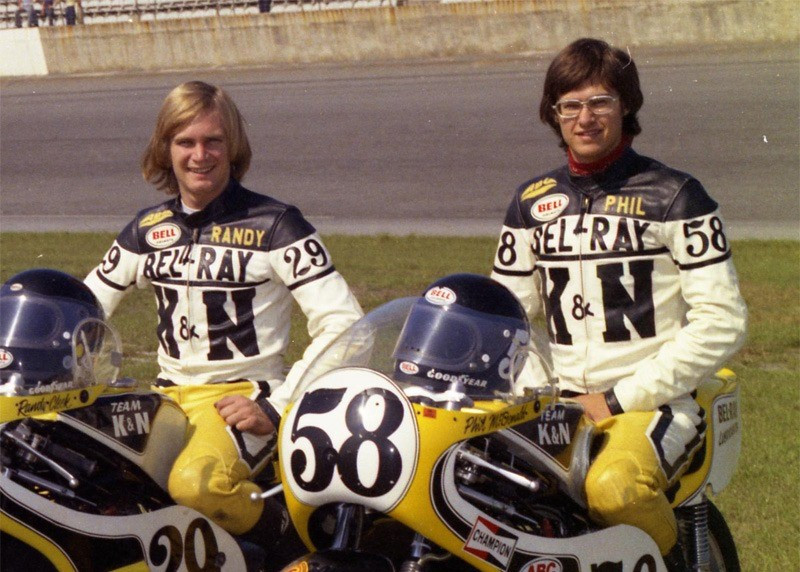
[[180, 107]]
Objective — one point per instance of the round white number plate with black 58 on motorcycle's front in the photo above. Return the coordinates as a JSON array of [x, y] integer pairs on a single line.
[[352, 438]]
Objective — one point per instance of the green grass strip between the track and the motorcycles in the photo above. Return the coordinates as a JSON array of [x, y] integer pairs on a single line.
[[762, 502]]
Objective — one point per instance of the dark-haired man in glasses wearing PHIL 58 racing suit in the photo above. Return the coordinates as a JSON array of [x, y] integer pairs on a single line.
[[629, 262]]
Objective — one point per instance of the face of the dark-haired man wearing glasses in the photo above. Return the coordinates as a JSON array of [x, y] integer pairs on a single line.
[[592, 137]]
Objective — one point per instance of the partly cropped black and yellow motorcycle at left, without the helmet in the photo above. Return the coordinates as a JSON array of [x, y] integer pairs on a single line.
[[83, 485]]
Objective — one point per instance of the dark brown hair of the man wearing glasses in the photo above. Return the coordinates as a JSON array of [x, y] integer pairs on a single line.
[[591, 61]]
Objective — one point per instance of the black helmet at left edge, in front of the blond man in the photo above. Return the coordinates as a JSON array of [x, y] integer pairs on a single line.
[[53, 336]]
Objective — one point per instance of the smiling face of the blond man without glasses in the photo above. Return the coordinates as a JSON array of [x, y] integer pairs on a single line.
[[200, 157]]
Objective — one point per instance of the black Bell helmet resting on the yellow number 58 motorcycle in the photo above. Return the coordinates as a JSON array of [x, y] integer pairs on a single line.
[[466, 331]]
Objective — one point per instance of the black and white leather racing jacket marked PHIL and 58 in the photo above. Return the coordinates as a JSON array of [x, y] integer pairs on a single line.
[[633, 270]]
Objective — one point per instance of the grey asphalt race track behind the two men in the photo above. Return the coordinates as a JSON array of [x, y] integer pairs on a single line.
[[416, 147]]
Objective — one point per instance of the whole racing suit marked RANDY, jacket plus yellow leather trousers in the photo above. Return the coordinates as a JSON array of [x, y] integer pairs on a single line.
[[224, 279]]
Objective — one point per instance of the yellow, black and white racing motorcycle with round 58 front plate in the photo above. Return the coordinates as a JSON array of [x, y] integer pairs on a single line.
[[386, 471]]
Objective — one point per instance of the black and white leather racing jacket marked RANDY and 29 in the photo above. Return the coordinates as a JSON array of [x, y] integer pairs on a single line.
[[224, 280]]
